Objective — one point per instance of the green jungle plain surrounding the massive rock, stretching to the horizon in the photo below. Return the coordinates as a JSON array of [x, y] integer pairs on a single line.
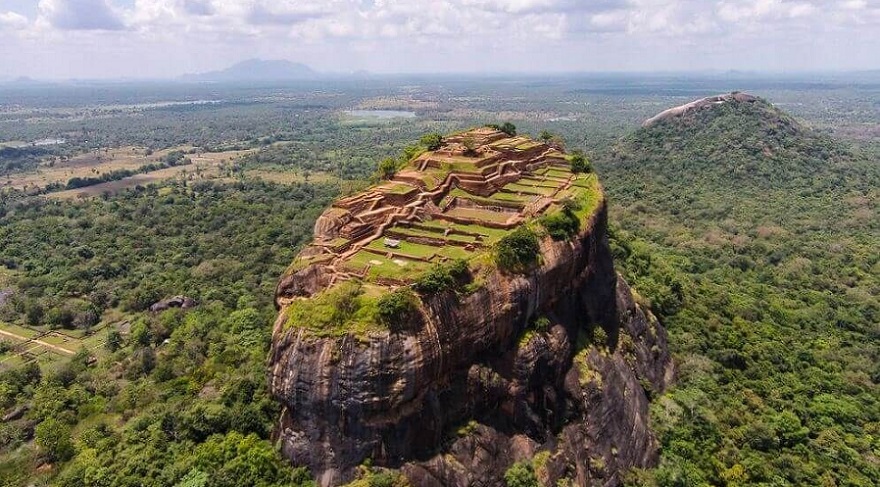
[[752, 233]]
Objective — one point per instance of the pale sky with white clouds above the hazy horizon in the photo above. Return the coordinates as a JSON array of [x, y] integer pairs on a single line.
[[59, 39]]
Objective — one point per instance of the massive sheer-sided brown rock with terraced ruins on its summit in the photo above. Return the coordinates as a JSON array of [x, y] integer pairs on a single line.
[[556, 364]]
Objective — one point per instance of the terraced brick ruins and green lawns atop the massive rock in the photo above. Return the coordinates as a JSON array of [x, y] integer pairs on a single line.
[[450, 203]]
